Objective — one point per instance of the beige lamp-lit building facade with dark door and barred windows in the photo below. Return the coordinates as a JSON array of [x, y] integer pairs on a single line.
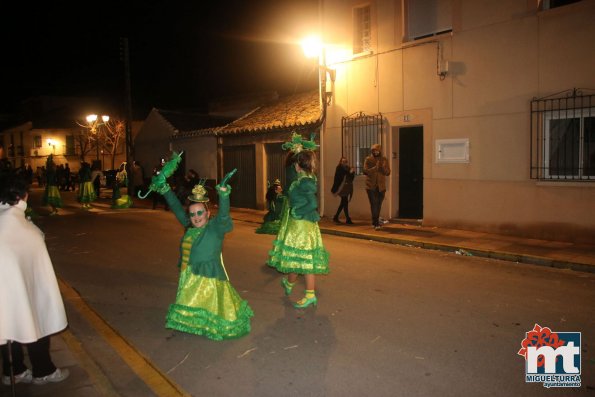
[[483, 109]]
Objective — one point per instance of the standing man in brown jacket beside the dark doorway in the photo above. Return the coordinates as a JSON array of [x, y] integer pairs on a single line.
[[376, 169]]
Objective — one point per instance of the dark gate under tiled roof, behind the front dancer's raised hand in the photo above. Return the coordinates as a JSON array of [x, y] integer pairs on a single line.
[[243, 183]]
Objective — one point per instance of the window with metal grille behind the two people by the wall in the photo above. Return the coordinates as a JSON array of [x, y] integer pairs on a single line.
[[360, 131]]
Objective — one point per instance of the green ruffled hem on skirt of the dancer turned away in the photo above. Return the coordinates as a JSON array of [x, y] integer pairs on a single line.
[[288, 259]]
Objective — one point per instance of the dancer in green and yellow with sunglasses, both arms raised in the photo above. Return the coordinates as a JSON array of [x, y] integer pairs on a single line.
[[206, 302]]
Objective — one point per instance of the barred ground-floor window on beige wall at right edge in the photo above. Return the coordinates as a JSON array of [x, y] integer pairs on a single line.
[[563, 137]]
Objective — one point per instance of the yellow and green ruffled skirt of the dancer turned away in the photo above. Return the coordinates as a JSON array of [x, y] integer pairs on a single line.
[[298, 249]]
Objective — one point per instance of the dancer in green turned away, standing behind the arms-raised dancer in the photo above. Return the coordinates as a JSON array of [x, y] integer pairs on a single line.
[[298, 248]]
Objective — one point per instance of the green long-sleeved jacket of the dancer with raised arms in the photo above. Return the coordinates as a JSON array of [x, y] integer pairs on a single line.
[[205, 254]]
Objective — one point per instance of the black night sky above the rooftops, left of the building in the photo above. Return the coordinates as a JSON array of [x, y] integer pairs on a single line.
[[182, 53]]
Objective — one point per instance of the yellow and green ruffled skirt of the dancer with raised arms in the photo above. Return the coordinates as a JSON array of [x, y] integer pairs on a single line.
[[209, 307]]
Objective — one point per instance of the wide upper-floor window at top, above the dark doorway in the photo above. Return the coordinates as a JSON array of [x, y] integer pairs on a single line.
[[426, 18]]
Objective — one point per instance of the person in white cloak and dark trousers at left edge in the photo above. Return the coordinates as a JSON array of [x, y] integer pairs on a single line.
[[31, 307]]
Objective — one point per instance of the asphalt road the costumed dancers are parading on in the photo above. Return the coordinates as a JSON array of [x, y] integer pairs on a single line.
[[391, 320]]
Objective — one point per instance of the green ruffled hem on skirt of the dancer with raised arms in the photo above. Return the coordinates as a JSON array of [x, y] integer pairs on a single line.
[[199, 321]]
